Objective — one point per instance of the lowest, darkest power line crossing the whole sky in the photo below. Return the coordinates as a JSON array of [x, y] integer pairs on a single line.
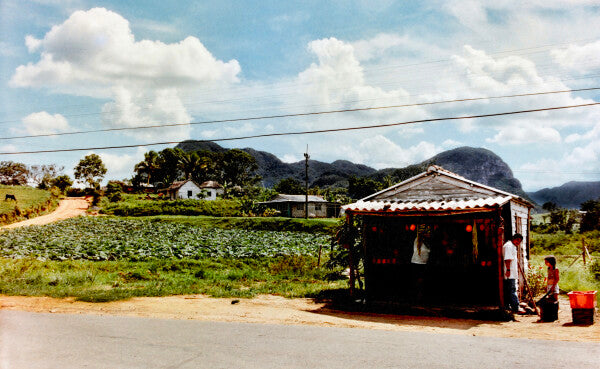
[[307, 132]]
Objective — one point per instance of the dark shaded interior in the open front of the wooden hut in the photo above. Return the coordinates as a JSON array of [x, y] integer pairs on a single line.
[[458, 264]]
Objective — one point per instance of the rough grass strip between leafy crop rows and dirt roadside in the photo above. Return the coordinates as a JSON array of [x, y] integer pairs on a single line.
[[116, 280]]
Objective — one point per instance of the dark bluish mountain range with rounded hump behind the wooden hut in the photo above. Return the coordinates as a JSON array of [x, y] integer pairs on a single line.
[[477, 164]]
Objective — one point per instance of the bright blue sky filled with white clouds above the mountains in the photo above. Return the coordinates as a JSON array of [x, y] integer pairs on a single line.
[[76, 65]]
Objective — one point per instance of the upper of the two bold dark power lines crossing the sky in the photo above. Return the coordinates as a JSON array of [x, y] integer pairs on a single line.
[[299, 114]]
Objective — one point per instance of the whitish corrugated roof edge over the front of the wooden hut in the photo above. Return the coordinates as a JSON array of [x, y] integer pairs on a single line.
[[426, 205]]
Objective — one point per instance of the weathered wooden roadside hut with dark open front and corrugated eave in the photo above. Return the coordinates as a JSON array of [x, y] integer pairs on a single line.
[[465, 224]]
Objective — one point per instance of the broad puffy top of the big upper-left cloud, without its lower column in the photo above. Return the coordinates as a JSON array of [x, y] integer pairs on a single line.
[[98, 47]]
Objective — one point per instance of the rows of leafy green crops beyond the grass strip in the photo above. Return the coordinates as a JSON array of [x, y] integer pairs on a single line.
[[108, 238]]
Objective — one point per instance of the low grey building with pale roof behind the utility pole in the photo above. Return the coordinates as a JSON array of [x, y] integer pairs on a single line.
[[293, 206]]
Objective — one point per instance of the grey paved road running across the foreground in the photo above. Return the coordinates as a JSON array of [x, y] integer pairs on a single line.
[[33, 340]]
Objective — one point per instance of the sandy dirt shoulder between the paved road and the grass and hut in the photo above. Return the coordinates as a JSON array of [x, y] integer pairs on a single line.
[[268, 309]]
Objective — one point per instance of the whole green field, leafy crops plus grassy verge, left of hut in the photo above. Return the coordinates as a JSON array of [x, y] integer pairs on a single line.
[[109, 258]]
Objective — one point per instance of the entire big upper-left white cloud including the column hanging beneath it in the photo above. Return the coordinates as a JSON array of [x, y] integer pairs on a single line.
[[94, 53]]
